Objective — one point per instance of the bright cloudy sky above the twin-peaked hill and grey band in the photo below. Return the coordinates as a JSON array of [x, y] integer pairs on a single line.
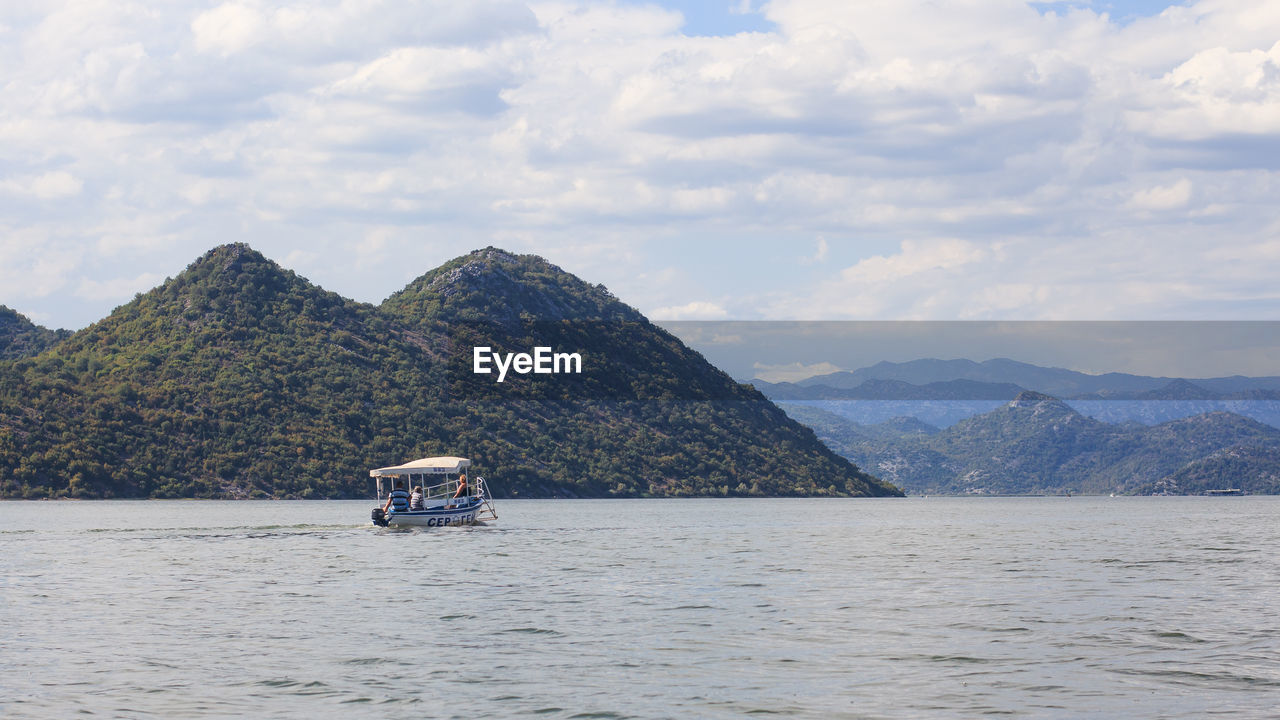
[[792, 160]]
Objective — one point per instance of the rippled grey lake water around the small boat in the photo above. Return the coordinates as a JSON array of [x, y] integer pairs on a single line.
[[920, 608]]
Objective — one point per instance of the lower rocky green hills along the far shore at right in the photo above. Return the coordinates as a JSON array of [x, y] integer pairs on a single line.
[[1039, 445]]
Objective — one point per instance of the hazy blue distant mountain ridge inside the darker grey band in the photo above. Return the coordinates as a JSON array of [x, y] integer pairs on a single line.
[[995, 380]]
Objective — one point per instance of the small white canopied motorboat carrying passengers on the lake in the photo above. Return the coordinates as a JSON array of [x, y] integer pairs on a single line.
[[444, 505]]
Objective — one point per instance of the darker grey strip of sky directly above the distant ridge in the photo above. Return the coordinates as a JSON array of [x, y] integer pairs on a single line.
[[792, 352]]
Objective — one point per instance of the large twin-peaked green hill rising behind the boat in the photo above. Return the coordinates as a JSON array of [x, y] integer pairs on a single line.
[[243, 380]]
